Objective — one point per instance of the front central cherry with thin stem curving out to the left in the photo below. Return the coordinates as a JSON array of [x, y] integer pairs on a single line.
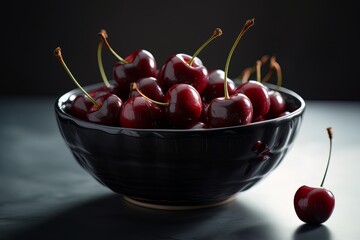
[[183, 105]]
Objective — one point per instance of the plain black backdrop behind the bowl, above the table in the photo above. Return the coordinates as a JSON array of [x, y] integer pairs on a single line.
[[315, 42]]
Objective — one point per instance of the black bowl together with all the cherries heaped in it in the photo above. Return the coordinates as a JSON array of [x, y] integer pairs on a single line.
[[179, 135]]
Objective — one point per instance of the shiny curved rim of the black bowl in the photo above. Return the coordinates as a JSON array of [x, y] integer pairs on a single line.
[[61, 101]]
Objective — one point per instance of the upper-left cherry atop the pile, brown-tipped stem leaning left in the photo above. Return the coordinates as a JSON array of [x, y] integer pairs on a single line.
[[139, 64]]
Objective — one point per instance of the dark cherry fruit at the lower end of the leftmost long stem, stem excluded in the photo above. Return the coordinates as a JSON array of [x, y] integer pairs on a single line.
[[107, 111]]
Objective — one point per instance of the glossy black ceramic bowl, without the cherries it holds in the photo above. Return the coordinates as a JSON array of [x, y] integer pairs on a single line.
[[170, 168]]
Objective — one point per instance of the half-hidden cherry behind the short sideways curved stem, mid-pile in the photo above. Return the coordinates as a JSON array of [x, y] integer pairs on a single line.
[[150, 87]]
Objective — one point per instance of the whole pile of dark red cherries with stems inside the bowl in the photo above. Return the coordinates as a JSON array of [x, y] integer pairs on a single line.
[[181, 94]]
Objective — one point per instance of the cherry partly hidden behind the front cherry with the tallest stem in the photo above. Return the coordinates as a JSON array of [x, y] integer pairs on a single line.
[[258, 95]]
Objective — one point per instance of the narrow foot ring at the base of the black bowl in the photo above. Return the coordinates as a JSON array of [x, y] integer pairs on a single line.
[[176, 207]]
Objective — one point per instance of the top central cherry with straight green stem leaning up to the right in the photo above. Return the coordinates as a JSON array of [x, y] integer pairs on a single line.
[[183, 68]]
